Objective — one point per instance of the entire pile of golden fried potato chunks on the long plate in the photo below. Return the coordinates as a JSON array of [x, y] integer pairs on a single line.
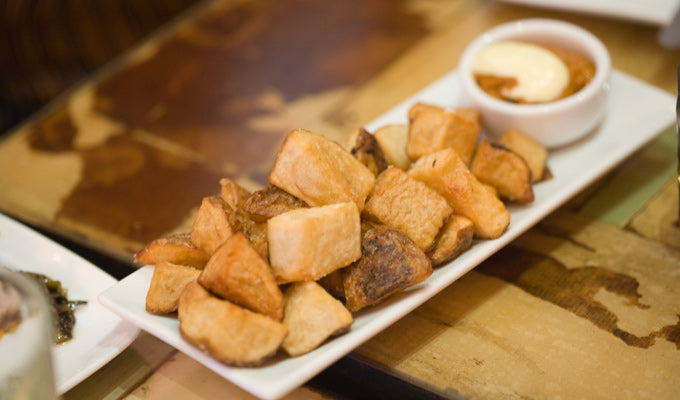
[[340, 227]]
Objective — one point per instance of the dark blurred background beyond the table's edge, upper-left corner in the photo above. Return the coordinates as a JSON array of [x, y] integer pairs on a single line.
[[48, 46]]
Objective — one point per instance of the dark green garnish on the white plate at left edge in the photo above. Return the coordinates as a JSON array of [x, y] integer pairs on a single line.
[[63, 309]]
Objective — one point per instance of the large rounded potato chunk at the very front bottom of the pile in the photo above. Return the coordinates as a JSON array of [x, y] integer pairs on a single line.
[[226, 331]]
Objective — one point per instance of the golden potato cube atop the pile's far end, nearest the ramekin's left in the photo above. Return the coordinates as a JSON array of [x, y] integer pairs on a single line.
[[433, 129]]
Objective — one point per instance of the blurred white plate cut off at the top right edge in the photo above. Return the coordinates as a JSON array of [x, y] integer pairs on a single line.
[[652, 12]]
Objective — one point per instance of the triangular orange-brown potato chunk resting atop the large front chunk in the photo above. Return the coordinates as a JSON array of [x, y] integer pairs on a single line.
[[236, 272]]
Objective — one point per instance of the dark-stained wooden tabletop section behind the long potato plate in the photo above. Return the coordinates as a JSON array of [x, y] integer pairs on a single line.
[[215, 96]]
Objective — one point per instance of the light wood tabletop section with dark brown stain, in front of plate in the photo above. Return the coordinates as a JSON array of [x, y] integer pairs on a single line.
[[573, 309]]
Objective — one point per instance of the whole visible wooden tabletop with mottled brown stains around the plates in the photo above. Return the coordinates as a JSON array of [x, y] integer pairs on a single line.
[[586, 304]]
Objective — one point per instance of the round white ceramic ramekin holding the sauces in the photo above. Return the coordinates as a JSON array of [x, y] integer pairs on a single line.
[[556, 123]]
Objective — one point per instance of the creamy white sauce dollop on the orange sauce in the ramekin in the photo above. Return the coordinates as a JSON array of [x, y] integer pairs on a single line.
[[541, 75]]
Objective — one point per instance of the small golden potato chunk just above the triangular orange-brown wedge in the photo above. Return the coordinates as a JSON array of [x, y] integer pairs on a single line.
[[214, 223]]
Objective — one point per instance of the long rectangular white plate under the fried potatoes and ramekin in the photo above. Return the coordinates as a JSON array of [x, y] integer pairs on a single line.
[[637, 112]]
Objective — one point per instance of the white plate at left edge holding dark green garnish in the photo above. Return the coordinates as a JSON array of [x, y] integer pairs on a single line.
[[99, 335]]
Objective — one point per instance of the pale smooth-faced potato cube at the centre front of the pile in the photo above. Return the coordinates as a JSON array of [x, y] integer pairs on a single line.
[[309, 243]]
